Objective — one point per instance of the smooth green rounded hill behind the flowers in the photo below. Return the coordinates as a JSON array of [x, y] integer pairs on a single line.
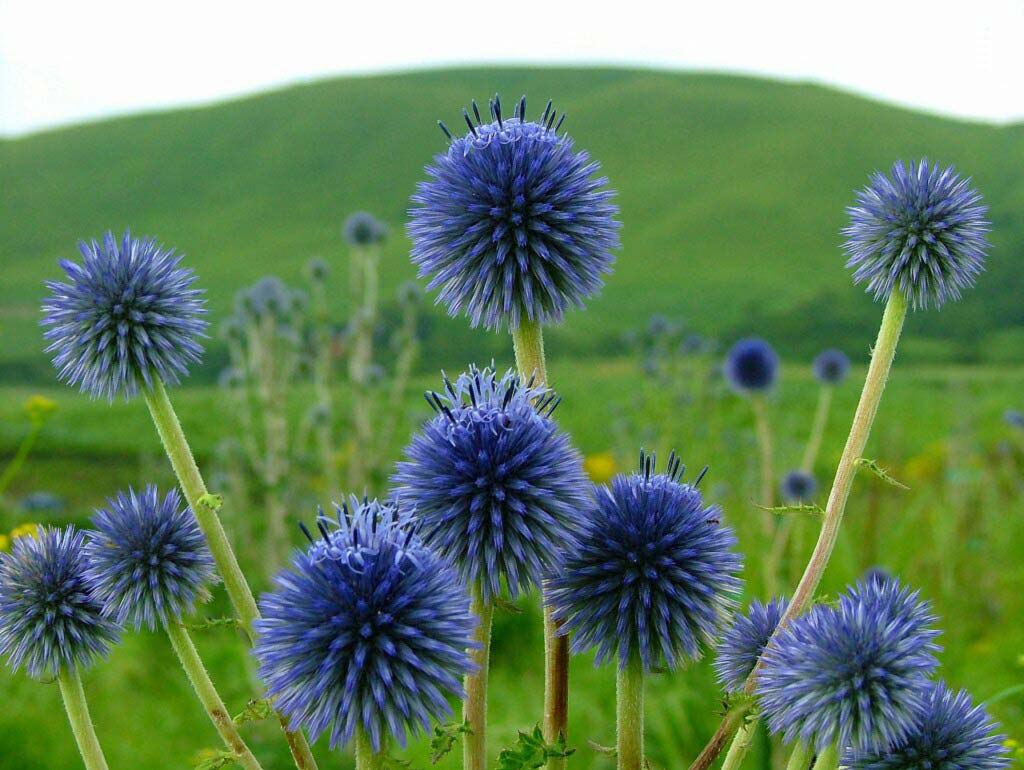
[[733, 191]]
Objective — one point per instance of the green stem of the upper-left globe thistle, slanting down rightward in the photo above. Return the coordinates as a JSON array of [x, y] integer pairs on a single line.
[[194, 488]]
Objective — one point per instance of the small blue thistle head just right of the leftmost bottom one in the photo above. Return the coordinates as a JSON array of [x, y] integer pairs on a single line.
[[148, 559]]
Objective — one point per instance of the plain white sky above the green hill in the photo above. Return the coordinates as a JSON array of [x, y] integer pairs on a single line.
[[78, 60]]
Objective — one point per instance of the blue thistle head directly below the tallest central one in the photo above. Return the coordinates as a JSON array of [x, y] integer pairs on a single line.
[[496, 486]]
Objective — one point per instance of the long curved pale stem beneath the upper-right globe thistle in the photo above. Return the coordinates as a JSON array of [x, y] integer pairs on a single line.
[[871, 397]]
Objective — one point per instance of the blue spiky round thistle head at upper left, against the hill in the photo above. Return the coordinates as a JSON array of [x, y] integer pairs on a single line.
[[129, 316]]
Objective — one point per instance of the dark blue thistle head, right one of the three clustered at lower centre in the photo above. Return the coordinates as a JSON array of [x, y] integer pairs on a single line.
[[653, 574]]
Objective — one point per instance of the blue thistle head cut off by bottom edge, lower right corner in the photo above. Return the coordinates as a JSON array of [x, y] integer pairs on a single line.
[[950, 734]]
